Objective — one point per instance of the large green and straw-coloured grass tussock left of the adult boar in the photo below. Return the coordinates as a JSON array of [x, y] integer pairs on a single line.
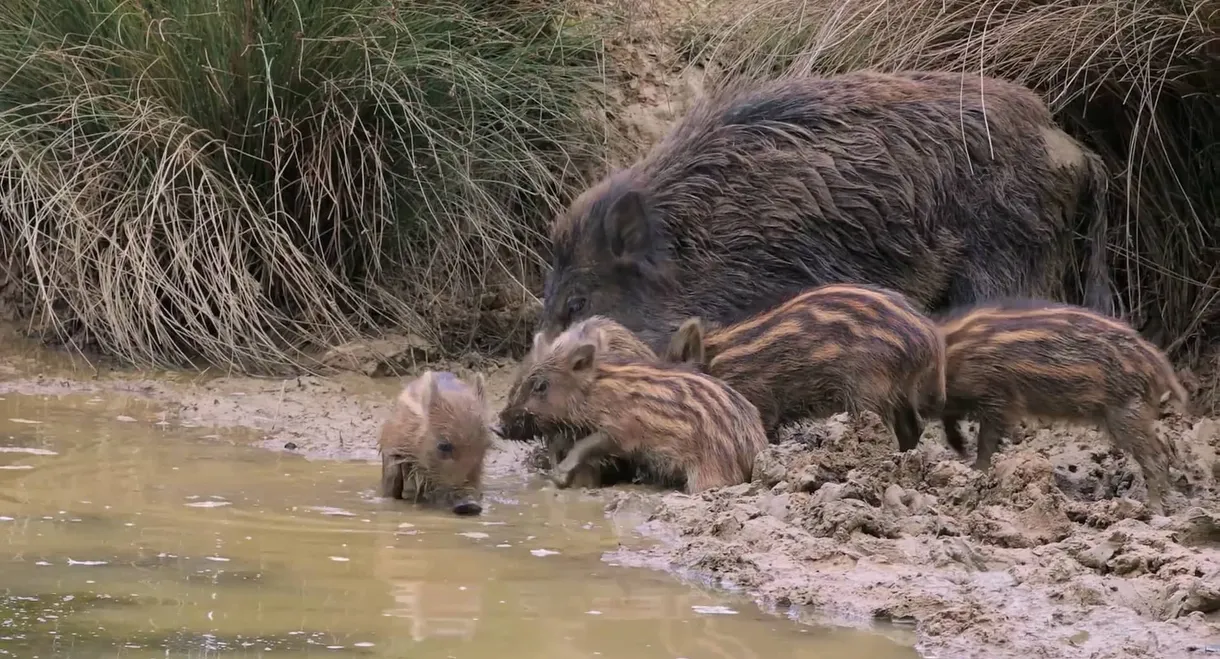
[[243, 180]]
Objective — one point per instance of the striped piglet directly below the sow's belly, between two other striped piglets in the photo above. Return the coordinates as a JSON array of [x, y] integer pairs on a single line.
[[830, 348]]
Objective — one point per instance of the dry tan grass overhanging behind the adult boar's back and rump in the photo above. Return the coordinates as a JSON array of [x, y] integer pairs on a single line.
[[1136, 80]]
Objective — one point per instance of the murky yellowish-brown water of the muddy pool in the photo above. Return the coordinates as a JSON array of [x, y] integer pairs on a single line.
[[123, 536]]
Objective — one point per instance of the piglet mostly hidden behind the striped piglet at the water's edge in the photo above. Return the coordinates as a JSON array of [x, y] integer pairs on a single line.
[[613, 340]]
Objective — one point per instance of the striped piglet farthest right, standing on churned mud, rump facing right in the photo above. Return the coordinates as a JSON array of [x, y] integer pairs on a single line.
[[1012, 359]]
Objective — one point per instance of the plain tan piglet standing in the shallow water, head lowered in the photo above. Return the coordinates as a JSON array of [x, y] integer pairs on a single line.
[[434, 442]]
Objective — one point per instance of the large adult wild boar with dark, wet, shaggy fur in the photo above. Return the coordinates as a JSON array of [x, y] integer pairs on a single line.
[[947, 190]]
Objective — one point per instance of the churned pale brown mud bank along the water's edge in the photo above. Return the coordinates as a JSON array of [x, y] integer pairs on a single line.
[[1051, 555]]
